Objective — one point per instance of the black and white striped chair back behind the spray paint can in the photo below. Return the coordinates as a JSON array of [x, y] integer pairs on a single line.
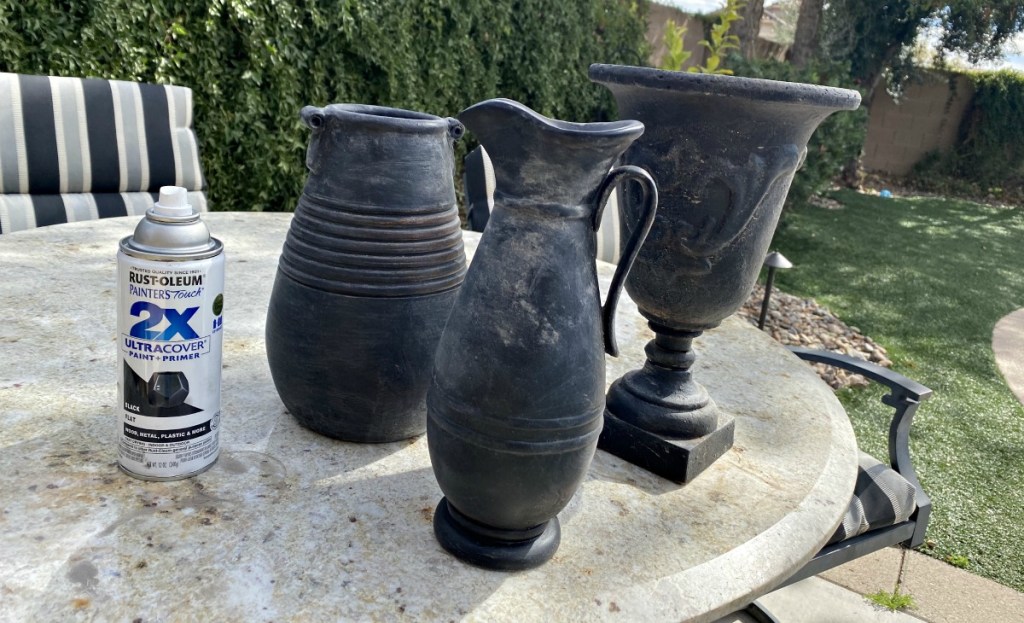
[[76, 149]]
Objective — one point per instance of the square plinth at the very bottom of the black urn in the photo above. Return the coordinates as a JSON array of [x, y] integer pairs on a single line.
[[677, 461]]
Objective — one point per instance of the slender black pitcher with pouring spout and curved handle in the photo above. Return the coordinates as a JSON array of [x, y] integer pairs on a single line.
[[515, 410]]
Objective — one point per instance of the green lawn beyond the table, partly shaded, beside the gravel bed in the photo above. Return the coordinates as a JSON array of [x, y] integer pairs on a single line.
[[928, 279]]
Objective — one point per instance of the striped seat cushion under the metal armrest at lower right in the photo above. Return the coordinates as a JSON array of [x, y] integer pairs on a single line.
[[882, 497]]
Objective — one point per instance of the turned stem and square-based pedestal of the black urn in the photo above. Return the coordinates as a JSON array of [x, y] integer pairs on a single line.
[[660, 419]]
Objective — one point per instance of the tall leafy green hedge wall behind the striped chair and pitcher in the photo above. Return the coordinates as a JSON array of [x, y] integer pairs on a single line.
[[253, 64]]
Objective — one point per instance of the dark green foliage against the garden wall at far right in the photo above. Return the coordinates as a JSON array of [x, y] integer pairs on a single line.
[[989, 158]]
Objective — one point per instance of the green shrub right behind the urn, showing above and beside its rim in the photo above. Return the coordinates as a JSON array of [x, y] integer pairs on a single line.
[[837, 142]]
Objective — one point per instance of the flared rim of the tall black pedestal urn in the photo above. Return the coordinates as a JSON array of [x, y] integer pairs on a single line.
[[727, 87]]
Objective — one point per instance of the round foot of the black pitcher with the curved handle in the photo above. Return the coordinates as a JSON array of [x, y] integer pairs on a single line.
[[494, 548]]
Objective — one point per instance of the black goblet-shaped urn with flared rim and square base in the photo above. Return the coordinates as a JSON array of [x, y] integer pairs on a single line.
[[723, 151]]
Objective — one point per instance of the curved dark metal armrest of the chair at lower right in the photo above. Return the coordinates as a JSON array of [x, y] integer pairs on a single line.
[[906, 396]]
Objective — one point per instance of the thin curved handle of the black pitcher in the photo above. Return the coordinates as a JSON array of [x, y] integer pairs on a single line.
[[629, 255]]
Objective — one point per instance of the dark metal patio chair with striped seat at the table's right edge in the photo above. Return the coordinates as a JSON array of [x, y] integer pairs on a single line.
[[889, 507]]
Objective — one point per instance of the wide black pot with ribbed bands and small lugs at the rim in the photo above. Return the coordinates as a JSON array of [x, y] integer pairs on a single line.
[[368, 274]]
